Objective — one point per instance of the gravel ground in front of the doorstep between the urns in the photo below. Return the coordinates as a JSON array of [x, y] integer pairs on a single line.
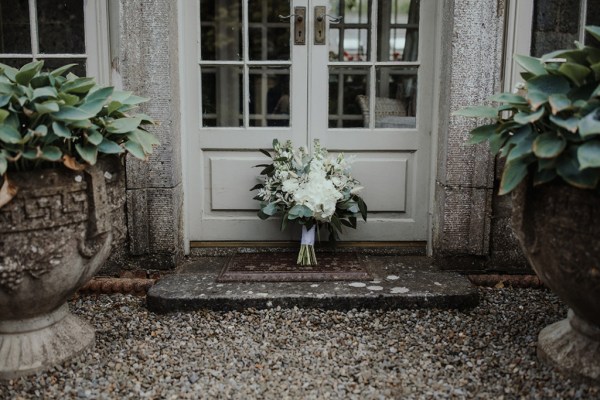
[[487, 352]]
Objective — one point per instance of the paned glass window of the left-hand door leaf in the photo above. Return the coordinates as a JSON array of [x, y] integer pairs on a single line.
[[245, 63]]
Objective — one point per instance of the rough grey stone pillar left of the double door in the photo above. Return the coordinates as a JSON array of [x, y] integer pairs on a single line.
[[146, 61]]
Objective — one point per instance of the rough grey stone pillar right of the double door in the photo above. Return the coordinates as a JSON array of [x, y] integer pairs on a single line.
[[471, 66]]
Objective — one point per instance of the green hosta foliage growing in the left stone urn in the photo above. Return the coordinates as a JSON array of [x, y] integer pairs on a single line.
[[48, 118]]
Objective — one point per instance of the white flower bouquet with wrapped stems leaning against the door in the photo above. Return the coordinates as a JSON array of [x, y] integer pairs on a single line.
[[313, 191]]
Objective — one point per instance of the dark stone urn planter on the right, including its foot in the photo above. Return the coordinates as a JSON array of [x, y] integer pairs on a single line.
[[558, 227]]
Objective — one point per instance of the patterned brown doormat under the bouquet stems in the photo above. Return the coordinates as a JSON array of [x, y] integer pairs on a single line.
[[282, 267]]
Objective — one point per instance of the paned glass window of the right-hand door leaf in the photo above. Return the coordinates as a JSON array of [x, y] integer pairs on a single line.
[[373, 87]]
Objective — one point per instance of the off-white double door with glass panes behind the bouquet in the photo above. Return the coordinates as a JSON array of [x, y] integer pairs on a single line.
[[355, 74]]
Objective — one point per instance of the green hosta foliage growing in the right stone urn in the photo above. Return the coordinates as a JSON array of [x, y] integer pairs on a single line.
[[551, 126]]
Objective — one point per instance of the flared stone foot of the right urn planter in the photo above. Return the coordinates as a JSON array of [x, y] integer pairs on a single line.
[[572, 346]]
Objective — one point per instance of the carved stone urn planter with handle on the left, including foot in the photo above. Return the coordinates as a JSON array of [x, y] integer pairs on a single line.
[[54, 235]]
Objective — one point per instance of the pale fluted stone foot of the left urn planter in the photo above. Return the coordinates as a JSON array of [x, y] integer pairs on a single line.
[[31, 345]]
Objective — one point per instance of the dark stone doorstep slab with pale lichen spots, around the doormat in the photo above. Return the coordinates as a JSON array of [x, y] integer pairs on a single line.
[[398, 282]]
